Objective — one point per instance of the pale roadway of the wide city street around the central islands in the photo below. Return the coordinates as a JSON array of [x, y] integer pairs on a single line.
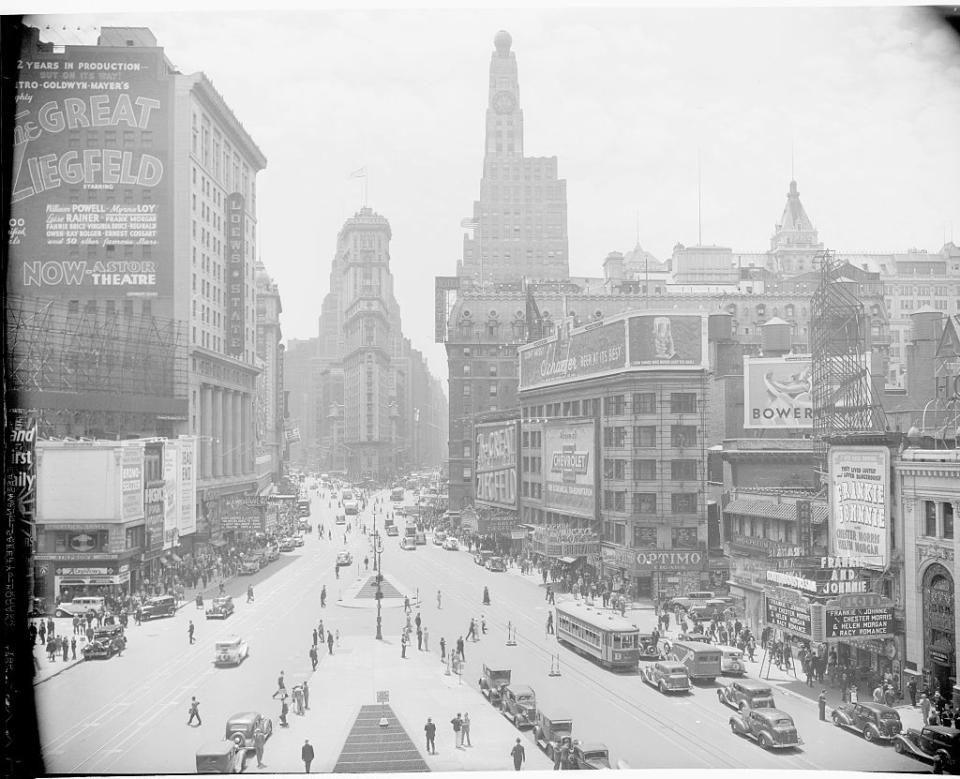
[[129, 713]]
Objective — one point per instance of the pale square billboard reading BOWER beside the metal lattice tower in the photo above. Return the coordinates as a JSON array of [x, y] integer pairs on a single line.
[[778, 393]]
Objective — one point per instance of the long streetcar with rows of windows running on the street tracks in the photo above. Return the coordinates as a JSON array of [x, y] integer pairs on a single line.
[[608, 638]]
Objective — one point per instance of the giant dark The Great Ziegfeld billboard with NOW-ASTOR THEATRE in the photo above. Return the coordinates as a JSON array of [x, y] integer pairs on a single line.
[[92, 198]]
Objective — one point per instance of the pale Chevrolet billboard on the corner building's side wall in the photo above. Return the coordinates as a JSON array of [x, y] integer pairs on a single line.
[[570, 468]]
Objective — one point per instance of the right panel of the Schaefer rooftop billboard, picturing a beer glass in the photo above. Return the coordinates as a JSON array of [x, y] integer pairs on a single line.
[[668, 341]]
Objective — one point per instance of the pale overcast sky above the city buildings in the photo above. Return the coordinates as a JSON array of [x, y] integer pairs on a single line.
[[865, 101]]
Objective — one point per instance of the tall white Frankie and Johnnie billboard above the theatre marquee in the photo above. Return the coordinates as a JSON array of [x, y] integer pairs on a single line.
[[860, 504]]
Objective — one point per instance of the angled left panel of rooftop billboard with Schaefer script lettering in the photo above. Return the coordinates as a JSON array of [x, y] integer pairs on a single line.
[[592, 351]]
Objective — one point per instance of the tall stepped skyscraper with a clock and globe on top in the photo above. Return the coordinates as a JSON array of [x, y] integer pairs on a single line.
[[520, 222]]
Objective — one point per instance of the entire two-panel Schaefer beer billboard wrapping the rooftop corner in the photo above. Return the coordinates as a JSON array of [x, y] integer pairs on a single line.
[[639, 341]]
